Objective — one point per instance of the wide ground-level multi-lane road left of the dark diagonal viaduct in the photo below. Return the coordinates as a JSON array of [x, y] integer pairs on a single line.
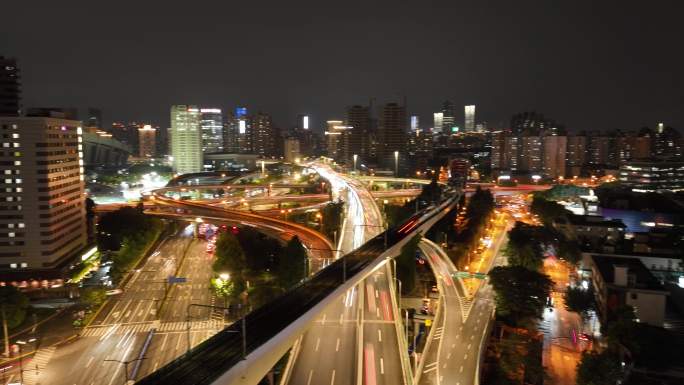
[[120, 330]]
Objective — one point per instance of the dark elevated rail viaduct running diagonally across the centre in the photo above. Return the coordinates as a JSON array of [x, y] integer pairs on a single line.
[[268, 332]]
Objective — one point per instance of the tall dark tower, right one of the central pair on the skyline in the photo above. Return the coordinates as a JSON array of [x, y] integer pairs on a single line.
[[391, 134]]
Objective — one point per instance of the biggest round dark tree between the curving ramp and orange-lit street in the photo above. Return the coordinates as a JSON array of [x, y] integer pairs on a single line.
[[520, 293]]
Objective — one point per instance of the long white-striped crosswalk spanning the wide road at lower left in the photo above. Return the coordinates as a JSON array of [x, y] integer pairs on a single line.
[[142, 327]]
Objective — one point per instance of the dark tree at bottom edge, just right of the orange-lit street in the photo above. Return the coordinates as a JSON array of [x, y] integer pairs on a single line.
[[598, 368]]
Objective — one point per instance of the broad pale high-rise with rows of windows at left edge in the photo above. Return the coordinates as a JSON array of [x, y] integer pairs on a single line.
[[43, 224]]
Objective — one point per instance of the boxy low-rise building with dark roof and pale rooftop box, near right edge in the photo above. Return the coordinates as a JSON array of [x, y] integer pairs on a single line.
[[620, 281]]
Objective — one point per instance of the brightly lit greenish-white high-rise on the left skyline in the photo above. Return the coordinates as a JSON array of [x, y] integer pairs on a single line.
[[186, 139]]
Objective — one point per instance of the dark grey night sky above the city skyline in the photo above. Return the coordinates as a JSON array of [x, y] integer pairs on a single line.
[[588, 64]]
